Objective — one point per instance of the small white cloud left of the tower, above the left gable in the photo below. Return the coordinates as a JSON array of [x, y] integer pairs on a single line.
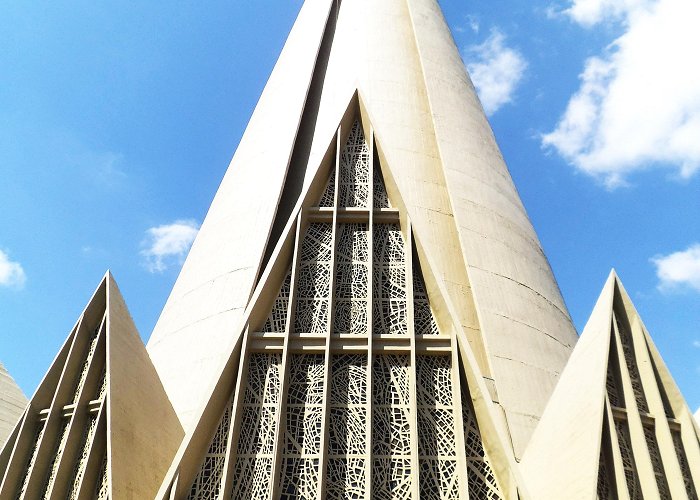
[[167, 244]]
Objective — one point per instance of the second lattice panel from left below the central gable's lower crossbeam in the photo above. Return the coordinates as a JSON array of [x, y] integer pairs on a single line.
[[252, 471]]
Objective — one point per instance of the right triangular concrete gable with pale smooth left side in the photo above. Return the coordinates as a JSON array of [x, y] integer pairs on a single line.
[[640, 445]]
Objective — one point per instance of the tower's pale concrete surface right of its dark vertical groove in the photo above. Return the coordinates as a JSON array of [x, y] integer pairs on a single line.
[[446, 168]]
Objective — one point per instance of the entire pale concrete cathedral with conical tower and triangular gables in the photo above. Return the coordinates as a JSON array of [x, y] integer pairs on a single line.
[[366, 313]]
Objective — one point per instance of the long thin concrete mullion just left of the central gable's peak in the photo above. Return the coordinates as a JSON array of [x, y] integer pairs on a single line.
[[322, 466]]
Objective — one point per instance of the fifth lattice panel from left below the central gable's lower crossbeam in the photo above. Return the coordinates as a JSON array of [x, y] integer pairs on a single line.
[[391, 428]]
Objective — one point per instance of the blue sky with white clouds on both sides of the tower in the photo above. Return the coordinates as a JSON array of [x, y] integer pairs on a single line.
[[118, 120]]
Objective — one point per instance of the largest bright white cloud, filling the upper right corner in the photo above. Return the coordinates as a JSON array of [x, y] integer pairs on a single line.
[[638, 105]]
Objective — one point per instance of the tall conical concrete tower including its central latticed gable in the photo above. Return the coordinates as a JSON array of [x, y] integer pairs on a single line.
[[367, 212]]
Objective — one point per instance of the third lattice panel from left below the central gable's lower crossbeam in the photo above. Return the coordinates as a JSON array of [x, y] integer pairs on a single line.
[[304, 426]]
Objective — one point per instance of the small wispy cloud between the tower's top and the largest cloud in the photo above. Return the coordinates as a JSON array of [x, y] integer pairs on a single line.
[[495, 70]]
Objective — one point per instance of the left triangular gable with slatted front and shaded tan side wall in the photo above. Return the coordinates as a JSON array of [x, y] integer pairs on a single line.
[[88, 429]]
